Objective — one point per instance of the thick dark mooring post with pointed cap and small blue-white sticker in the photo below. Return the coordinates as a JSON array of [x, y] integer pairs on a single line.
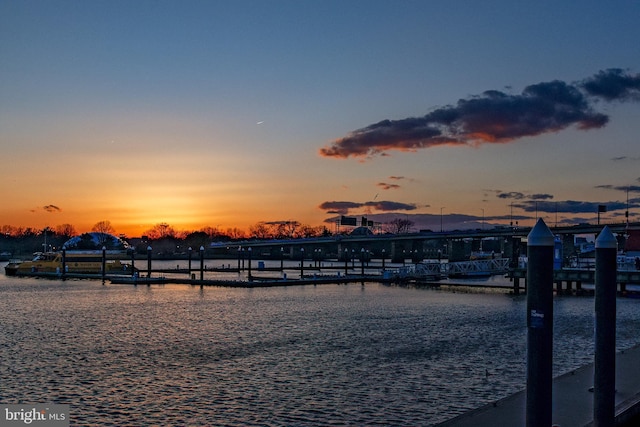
[[539, 325]]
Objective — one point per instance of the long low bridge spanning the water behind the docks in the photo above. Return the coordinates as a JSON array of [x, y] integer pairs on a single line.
[[455, 245]]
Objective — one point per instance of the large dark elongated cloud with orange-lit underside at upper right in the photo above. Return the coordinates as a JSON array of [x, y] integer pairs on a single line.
[[494, 117]]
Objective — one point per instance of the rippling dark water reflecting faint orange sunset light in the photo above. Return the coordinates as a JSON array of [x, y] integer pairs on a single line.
[[291, 356]]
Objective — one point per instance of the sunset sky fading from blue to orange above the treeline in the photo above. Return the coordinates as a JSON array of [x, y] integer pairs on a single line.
[[227, 113]]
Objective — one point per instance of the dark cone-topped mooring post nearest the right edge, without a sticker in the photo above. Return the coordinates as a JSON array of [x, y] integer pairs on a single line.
[[604, 384]]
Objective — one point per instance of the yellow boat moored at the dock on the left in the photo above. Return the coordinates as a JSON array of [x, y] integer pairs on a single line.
[[75, 262]]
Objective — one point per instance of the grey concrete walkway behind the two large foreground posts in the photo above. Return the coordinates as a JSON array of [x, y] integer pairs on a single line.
[[572, 400]]
